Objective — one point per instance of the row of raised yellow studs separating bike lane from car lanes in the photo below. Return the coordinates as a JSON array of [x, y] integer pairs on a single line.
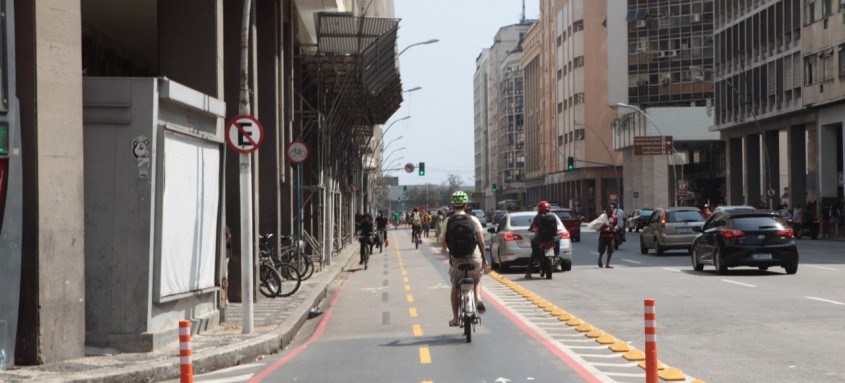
[[632, 354]]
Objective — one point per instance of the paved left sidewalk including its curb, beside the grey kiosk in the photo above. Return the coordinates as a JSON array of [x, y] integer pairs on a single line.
[[276, 321]]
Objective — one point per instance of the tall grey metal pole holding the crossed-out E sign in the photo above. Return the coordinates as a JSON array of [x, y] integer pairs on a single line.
[[246, 184]]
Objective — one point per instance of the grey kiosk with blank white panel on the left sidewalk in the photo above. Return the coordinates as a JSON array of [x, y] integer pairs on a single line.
[[154, 152]]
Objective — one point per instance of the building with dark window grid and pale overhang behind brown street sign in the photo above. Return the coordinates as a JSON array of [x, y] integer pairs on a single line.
[[661, 60]]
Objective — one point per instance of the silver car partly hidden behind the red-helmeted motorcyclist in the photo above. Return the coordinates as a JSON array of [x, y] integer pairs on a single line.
[[510, 242]]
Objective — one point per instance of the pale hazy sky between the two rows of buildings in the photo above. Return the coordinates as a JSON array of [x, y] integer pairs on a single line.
[[440, 130]]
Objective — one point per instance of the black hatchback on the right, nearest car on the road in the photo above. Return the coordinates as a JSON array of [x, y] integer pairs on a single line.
[[756, 239]]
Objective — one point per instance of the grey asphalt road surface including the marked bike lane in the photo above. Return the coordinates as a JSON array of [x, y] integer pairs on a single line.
[[747, 326]]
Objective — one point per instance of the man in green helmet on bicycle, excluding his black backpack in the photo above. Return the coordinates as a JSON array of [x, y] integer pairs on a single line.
[[459, 202]]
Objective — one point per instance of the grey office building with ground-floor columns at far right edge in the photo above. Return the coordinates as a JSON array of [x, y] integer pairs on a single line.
[[779, 100]]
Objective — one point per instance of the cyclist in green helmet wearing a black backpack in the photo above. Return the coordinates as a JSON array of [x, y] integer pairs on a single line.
[[463, 239]]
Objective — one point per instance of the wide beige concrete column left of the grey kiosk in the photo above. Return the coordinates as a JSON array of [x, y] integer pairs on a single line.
[[52, 325]]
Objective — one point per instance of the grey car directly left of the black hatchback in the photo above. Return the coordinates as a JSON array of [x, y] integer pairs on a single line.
[[670, 228]]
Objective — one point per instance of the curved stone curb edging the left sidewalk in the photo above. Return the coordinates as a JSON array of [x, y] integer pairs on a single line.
[[244, 351]]
